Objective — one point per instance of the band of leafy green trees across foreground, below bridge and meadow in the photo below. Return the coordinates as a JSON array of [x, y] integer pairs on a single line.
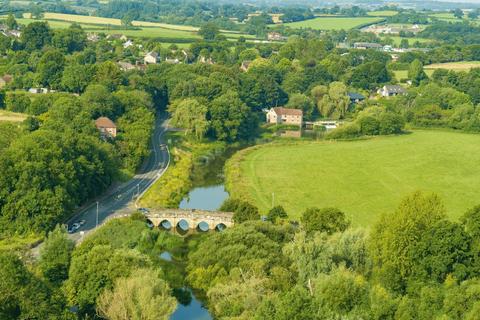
[[412, 264]]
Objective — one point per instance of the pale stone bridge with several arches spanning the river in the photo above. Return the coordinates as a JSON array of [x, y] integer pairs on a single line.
[[215, 220]]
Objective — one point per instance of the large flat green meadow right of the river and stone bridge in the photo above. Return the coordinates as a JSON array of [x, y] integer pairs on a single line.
[[364, 178]]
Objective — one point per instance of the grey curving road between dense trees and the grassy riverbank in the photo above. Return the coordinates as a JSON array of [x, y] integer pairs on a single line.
[[123, 197]]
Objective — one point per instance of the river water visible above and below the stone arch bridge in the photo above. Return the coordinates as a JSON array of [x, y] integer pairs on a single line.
[[208, 194]]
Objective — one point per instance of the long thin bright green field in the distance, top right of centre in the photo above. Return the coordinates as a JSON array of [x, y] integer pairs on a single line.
[[332, 23]]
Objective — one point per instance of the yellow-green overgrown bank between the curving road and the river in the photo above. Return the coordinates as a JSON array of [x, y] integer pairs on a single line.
[[178, 180]]
